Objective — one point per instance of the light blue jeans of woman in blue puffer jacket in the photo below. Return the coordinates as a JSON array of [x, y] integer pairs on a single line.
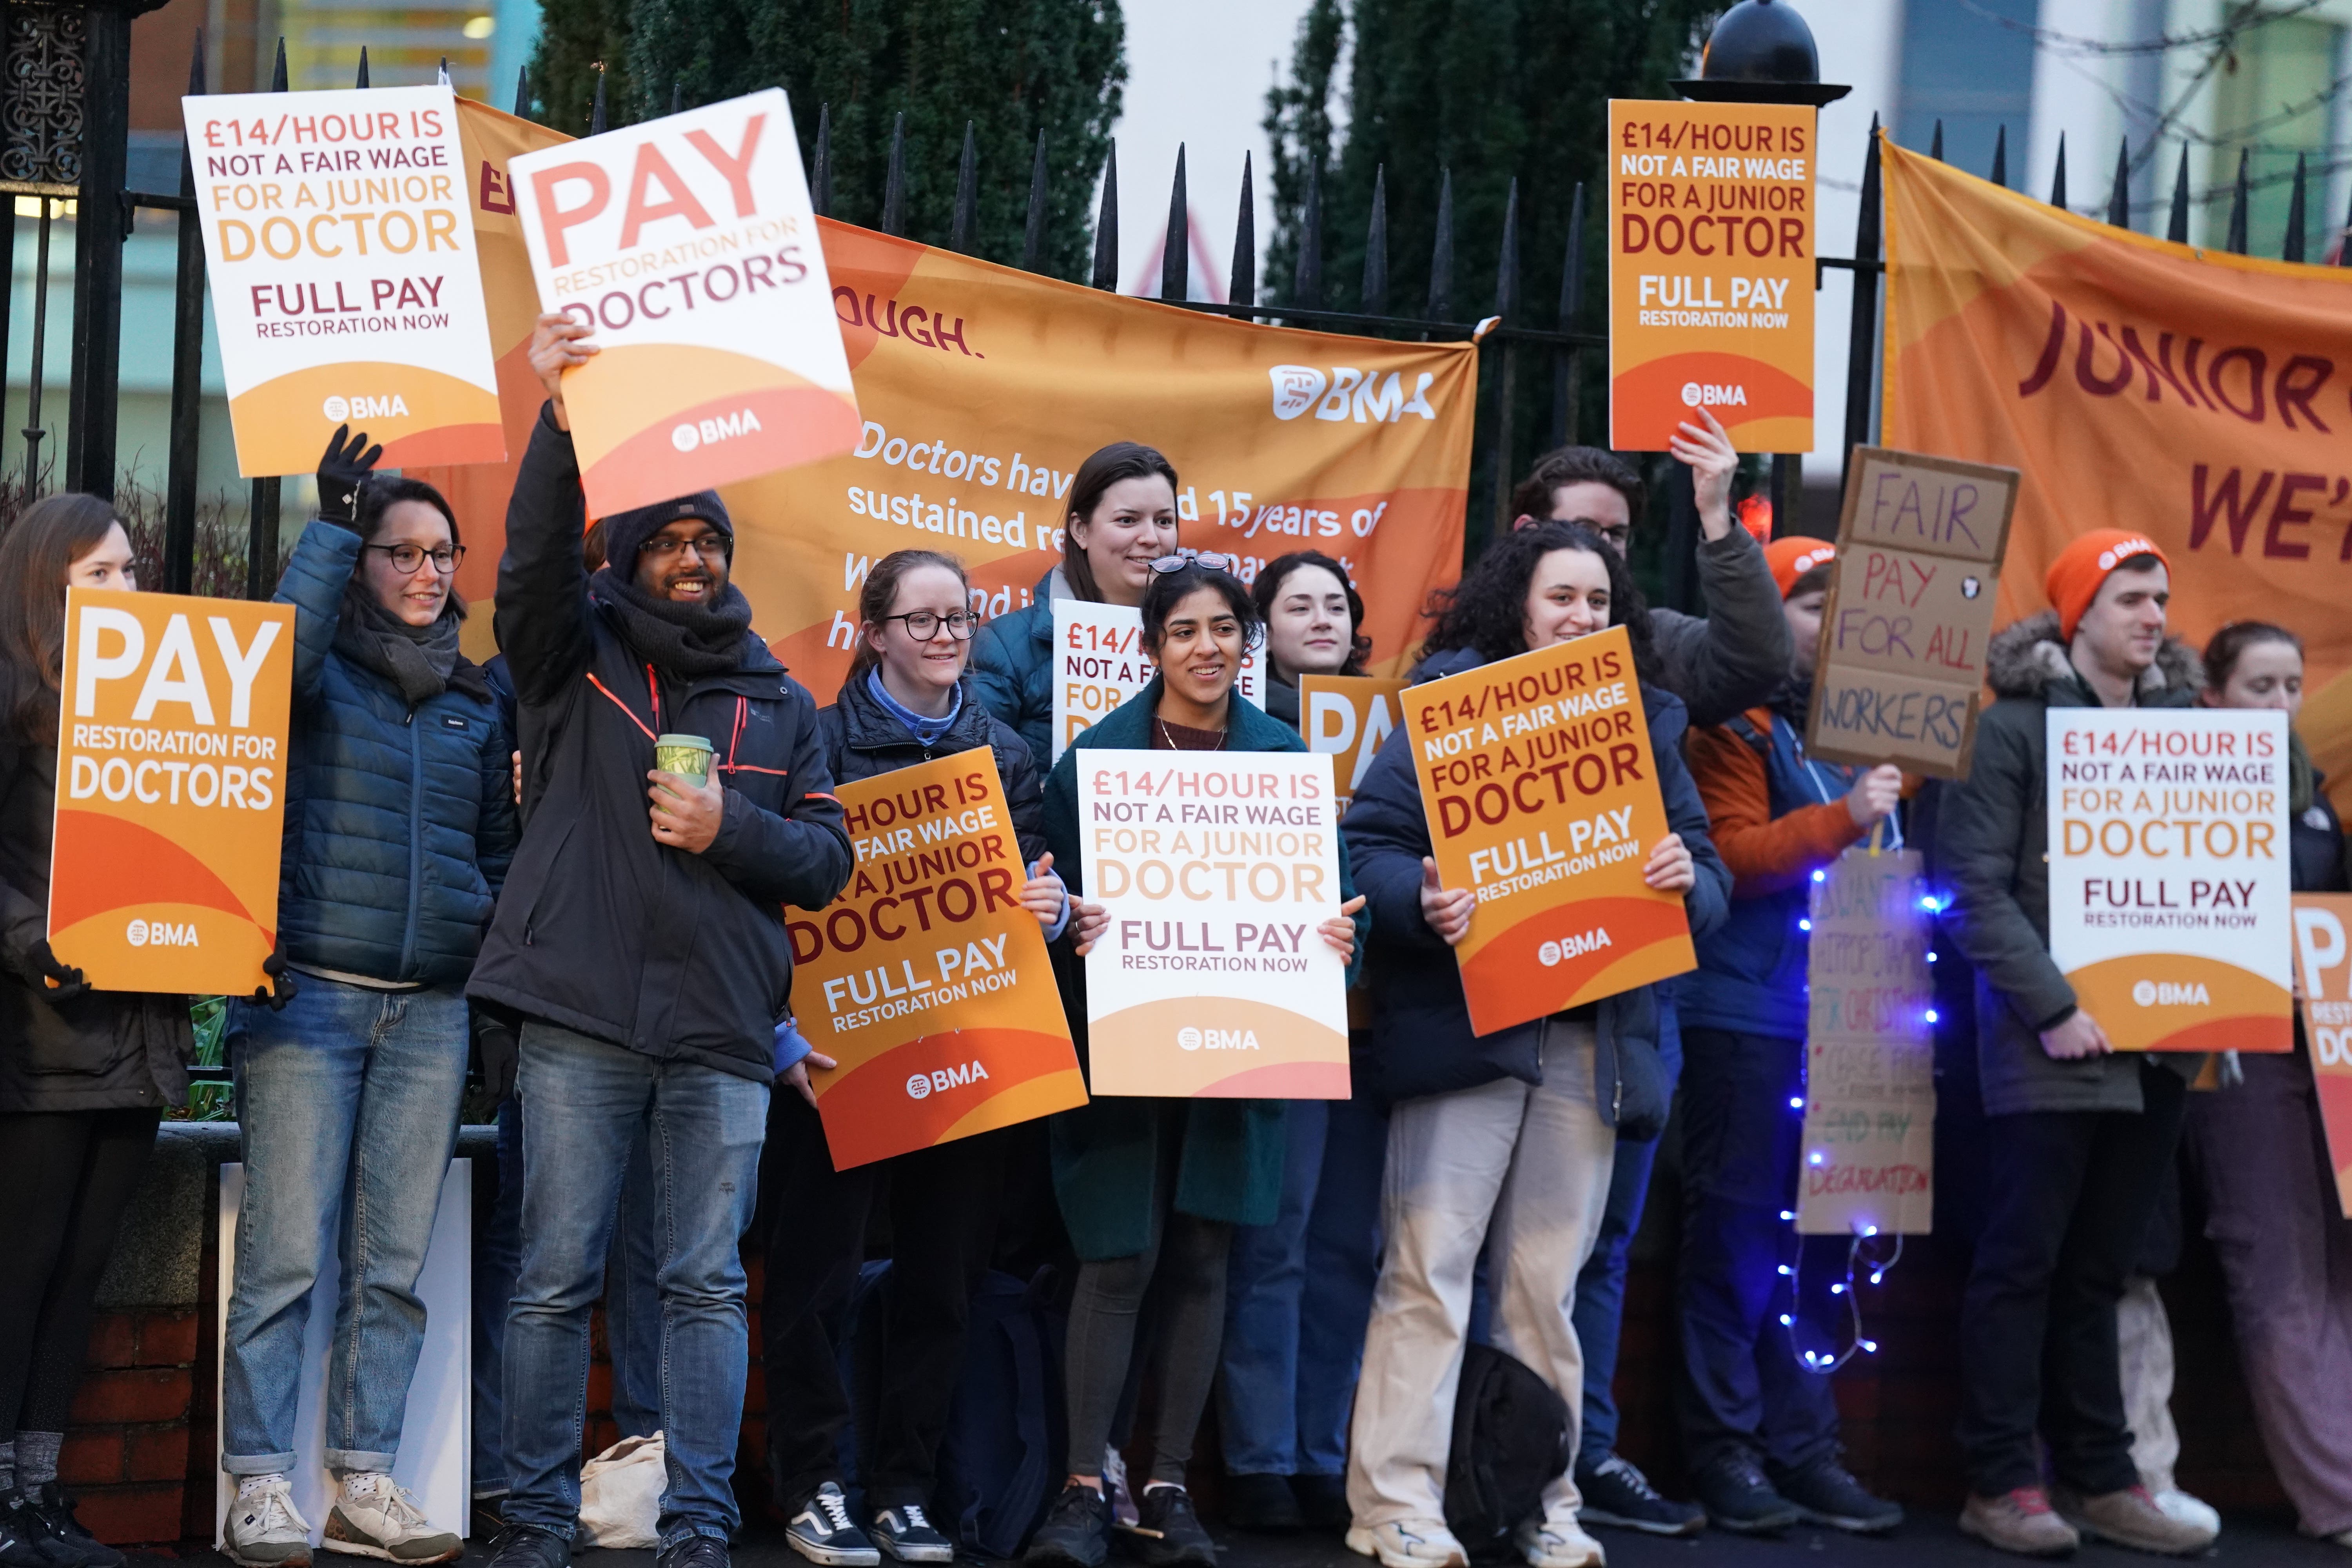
[[349, 1113]]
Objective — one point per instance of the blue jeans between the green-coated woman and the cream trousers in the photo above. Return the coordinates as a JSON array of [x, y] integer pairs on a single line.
[[1299, 1294]]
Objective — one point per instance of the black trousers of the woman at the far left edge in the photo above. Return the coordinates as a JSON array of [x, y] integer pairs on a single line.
[[67, 1179]]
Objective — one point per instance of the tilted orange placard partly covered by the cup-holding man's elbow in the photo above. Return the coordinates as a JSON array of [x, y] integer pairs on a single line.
[[926, 979]]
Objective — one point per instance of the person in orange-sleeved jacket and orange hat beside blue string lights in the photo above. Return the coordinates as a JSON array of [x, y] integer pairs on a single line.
[[1758, 1426]]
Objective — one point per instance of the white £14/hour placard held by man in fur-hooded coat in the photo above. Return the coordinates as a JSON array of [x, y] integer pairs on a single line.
[[2170, 876]]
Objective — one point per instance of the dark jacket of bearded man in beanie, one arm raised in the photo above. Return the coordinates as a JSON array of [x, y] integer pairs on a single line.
[[603, 930]]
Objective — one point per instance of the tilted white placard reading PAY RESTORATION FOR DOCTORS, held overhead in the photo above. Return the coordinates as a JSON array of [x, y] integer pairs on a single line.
[[690, 248]]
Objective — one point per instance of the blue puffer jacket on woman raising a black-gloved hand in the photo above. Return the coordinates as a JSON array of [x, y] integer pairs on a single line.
[[399, 822]]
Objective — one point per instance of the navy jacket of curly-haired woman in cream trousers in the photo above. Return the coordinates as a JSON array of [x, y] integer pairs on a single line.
[[1422, 1036]]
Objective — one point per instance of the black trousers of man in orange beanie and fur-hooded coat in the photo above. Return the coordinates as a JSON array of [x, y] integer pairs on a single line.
[[2066, 1217]]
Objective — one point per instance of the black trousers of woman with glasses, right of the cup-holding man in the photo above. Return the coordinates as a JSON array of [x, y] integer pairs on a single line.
[[942, 1217]]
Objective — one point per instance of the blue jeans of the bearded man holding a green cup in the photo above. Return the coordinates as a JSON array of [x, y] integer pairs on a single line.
[[704, 1132]]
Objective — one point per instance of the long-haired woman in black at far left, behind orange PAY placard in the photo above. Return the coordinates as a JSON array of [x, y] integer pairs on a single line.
[[86, 1076]]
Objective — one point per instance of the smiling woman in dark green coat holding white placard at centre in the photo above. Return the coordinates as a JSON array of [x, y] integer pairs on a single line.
[[1151, 1188]]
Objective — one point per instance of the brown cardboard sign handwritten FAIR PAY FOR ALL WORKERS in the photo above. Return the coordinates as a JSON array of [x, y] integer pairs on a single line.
[[1904, 634]]
